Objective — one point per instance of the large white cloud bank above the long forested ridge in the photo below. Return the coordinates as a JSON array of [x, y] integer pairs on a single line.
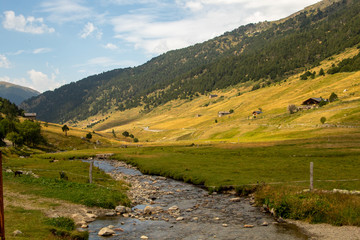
[[195, 21]]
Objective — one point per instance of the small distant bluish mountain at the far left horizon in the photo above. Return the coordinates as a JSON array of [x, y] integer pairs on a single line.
[[15, 93]]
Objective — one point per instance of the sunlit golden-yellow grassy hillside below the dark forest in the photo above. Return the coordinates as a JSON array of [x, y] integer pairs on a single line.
[[178, 120]]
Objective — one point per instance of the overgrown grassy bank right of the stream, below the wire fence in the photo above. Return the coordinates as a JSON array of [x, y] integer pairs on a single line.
[[314, 207]]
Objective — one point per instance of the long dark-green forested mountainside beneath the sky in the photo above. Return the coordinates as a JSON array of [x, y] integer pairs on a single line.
[[257, 54]]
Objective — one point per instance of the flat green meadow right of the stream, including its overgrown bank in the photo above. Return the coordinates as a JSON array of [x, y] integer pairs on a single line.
[[282, 167]]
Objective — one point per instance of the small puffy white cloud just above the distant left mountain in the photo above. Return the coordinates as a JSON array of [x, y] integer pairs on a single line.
[[42, 82]]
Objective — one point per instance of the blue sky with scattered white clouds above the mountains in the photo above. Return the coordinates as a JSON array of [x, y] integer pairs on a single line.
[[45, 44]]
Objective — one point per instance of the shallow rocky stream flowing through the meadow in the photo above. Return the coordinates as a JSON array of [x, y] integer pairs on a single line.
[[168, 209]]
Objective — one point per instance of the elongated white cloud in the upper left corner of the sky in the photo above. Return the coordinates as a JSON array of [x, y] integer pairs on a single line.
[[27, 25]]
